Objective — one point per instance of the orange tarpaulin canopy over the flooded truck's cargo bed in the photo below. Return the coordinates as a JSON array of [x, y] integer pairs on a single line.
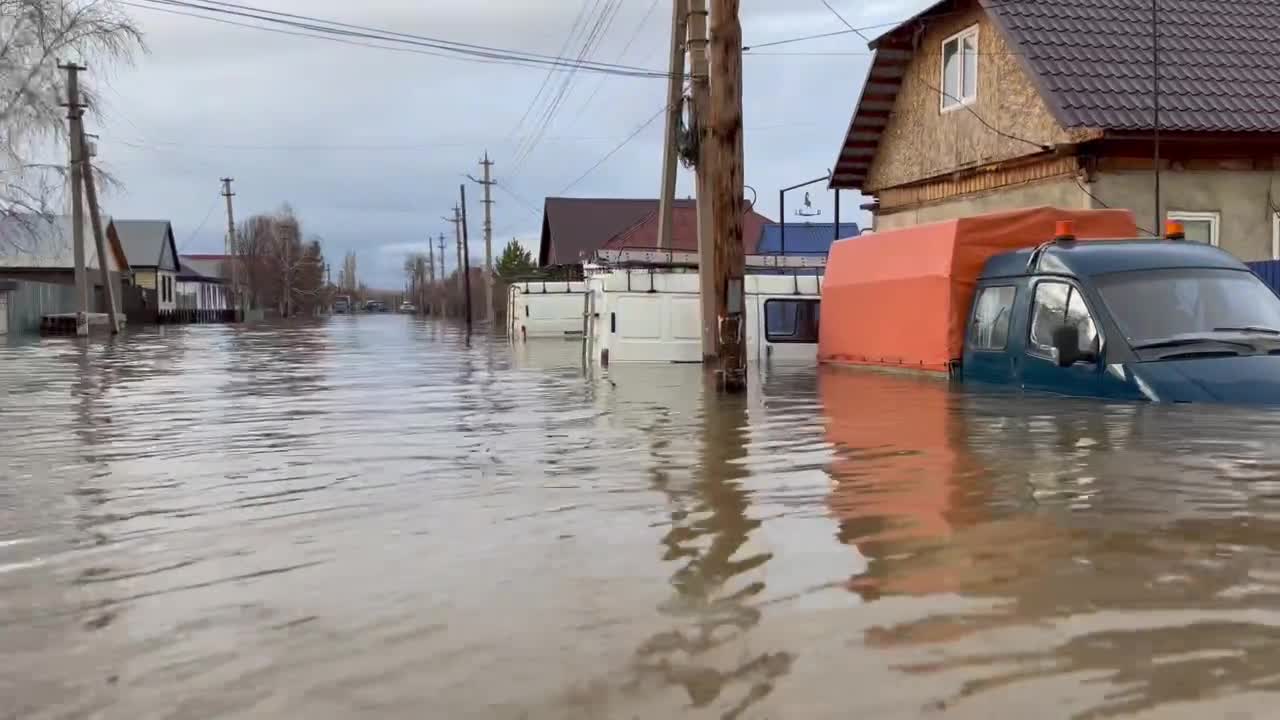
[[902, 298]]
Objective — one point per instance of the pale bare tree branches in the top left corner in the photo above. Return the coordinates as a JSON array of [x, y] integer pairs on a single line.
[[35, 37]]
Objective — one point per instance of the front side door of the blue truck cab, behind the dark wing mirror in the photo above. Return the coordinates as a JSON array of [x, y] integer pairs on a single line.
[[1057, 303]]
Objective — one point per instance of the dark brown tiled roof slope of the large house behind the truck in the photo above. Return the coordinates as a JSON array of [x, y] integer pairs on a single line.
[[1219, 62]]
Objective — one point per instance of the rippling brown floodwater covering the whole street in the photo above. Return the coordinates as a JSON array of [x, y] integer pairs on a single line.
[[368, 518]]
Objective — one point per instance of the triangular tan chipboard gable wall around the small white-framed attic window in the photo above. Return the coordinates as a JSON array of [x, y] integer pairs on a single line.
[[922, 142]]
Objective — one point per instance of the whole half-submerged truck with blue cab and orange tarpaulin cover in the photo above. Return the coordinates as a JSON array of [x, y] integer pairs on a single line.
[[1058, 302]]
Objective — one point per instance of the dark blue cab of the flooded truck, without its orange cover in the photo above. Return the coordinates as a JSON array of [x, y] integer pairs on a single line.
[[1135, 321]]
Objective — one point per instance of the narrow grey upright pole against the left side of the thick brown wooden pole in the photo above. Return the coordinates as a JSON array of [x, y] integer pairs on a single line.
[[701, 95]]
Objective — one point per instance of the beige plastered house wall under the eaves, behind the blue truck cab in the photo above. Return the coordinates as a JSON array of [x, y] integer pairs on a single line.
[[1241, 198]]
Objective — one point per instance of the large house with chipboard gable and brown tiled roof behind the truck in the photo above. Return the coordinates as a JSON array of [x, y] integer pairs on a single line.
[[980, 106]]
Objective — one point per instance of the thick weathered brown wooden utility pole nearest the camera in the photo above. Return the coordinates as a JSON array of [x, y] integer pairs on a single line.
[[726, 186]]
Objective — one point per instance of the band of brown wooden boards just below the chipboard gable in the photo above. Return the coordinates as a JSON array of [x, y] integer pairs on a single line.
[[1055, 193]]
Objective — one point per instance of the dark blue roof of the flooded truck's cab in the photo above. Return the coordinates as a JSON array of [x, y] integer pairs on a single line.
[[1082, 259]]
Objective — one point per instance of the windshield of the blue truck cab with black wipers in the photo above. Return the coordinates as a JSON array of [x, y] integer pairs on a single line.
[[1164, 304]]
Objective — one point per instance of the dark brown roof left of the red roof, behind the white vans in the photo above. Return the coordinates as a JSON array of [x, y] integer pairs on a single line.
[[577, 227]]
